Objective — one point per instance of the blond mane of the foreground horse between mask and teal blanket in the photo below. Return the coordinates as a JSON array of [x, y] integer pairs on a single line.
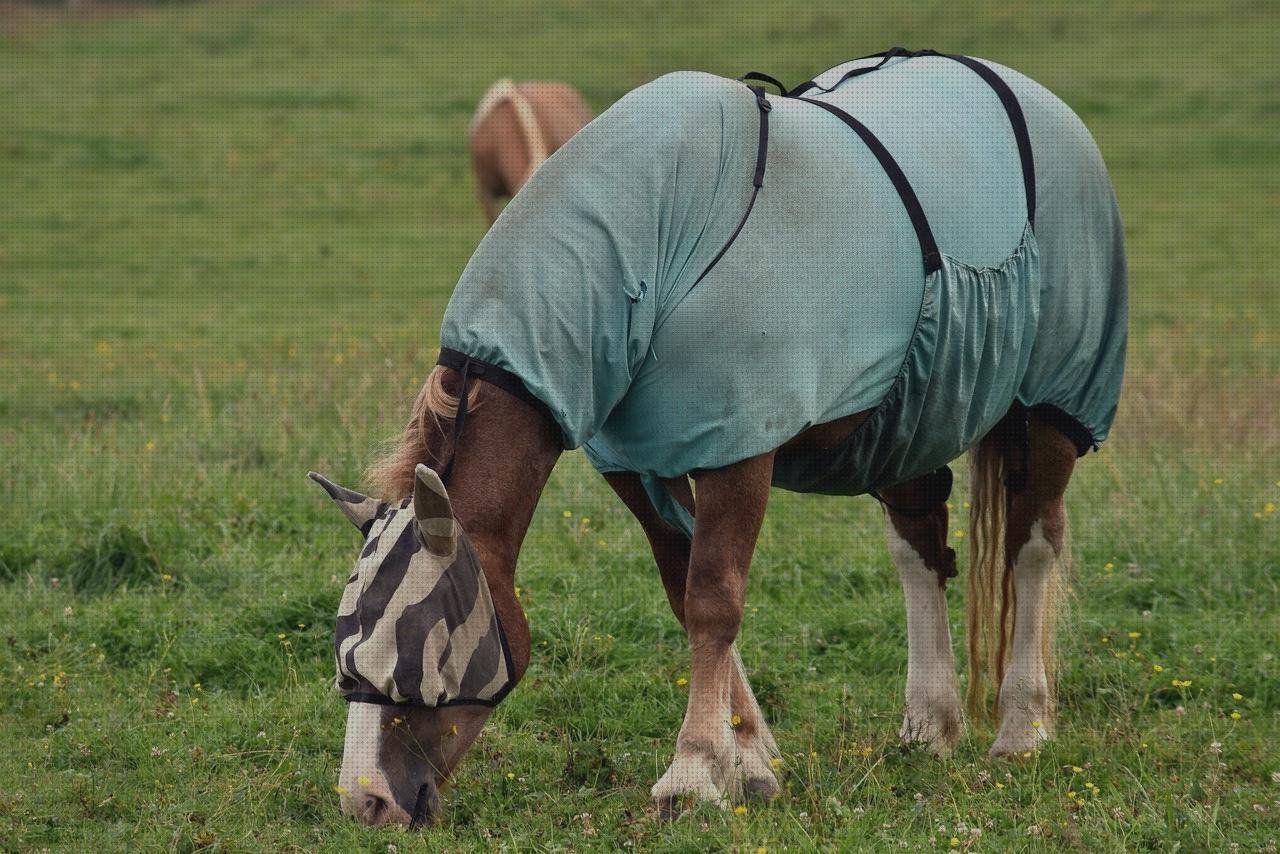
[[424, 440]]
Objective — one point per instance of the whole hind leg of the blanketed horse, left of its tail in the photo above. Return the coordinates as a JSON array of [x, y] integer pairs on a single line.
[[917, 532]]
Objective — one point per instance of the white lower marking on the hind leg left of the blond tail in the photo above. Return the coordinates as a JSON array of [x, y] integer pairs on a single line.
[[932, 696]]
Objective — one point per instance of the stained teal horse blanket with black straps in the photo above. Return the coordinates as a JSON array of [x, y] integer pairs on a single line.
[[936, 241]]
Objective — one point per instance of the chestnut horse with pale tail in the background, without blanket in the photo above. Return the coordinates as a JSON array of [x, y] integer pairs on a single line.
[[516, 127]]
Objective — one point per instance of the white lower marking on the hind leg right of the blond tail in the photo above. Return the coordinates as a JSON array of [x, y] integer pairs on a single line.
[[1025, 714]]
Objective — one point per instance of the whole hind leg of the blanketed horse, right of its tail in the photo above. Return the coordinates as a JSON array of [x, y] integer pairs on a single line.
[[1036, 533]]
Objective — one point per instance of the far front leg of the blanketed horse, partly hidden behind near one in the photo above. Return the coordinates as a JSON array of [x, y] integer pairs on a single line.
[[755, 742]]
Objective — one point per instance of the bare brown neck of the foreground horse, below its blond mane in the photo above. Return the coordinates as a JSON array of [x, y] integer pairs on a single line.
[[504, 460]]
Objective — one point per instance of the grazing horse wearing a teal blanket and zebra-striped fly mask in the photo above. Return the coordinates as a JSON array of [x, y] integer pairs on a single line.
[[835, 290]]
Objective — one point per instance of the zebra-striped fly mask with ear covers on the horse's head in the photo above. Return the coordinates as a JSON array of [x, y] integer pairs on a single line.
[[417, 625]]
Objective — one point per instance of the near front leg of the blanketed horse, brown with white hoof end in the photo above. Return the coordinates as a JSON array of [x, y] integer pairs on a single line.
[[732, 504]]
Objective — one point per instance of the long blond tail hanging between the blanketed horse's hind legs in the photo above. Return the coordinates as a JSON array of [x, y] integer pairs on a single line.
[[990, 600]]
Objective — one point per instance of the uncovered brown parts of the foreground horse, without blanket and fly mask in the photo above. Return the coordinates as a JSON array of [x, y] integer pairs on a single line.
[[502, 463]]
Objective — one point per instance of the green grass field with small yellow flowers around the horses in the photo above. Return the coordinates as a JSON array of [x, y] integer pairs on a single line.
[[227, 236]]
